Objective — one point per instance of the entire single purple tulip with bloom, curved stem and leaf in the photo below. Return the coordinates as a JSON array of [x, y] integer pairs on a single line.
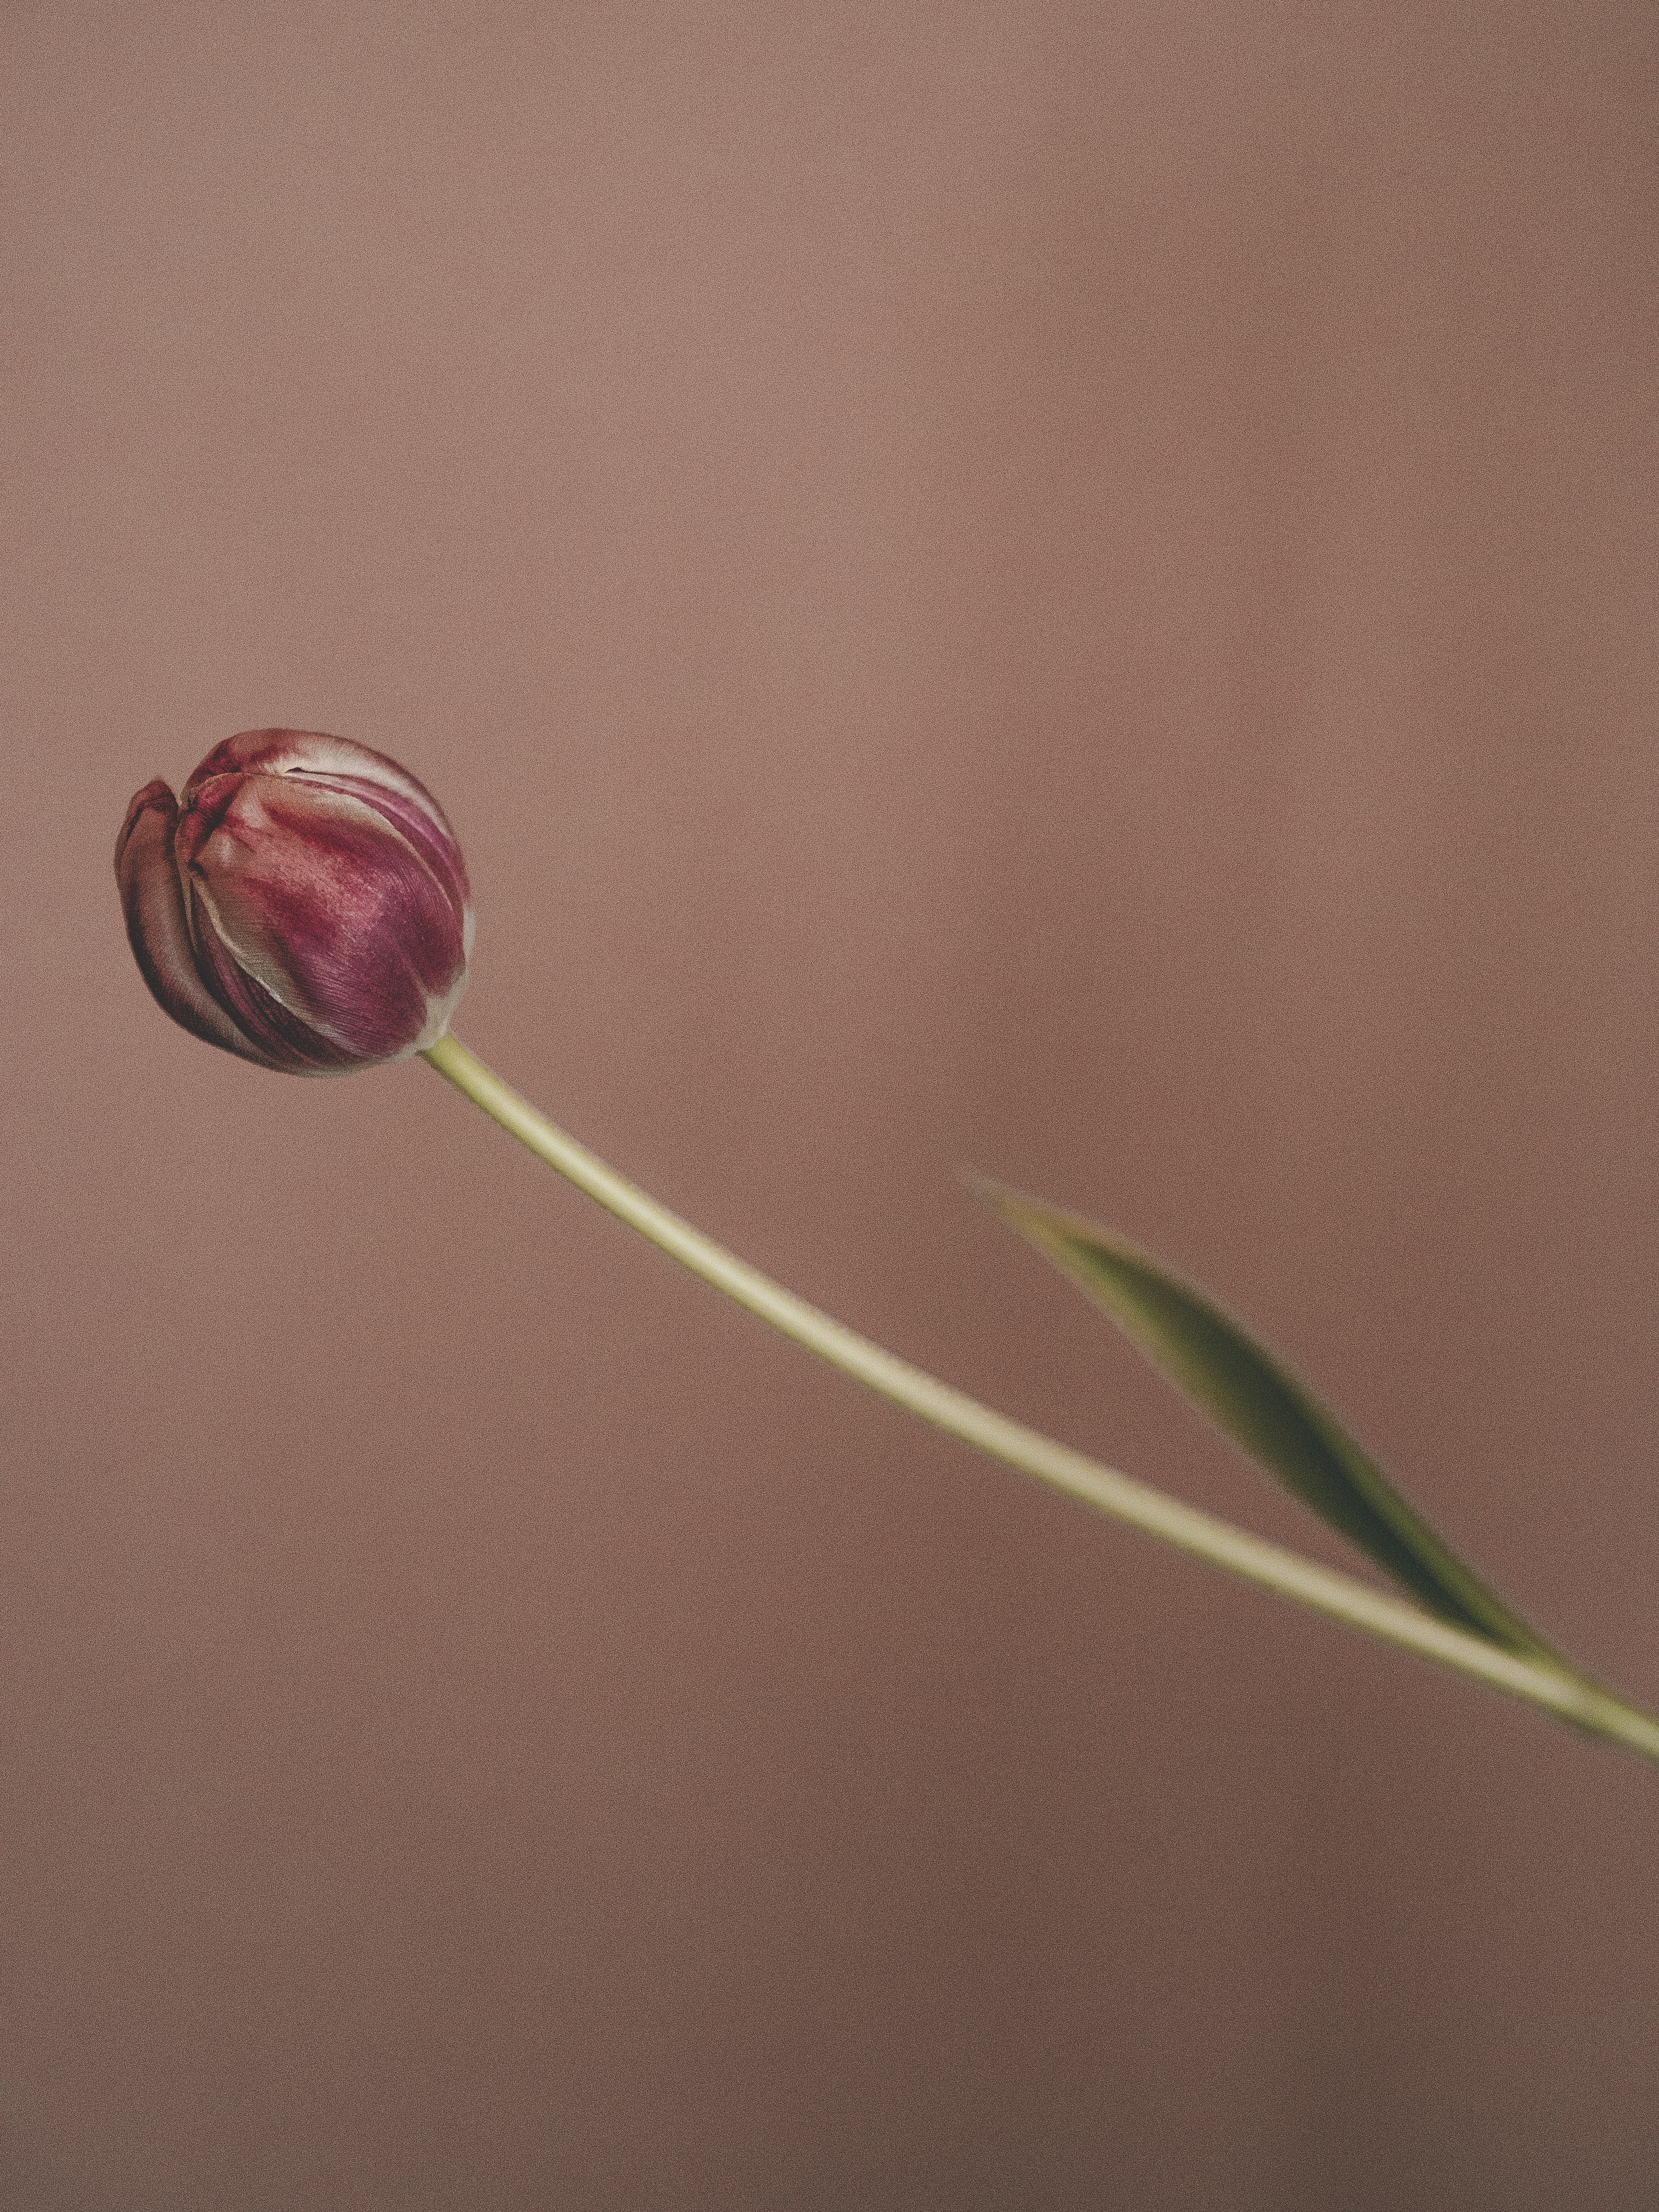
[[309, 910]]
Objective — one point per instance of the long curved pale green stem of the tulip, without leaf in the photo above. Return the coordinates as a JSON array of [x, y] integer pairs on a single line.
[[1271, 1567]]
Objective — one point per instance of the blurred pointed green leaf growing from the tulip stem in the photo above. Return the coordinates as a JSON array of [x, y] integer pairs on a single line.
[[1266, 1410]]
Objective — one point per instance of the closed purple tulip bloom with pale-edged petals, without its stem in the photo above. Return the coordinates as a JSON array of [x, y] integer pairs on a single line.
[[304, 908]]
